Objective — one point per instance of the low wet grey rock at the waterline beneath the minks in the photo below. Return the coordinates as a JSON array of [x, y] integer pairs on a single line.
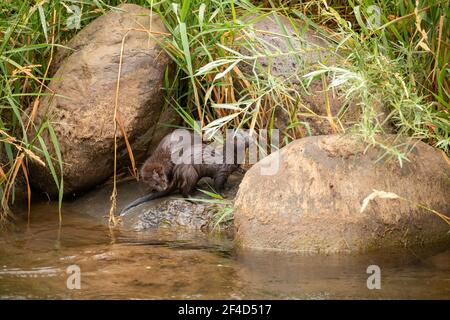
[[172, 212]]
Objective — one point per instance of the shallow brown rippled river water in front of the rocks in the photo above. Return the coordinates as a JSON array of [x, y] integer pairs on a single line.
[[160, 264]]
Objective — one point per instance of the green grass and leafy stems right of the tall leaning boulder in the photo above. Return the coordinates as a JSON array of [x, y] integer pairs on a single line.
[[401, 65]]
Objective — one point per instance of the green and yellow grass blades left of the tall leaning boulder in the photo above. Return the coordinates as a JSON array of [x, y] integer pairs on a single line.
[[30, 31]]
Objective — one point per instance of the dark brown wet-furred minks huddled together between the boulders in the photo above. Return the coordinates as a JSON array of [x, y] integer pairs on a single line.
[[162, 176]]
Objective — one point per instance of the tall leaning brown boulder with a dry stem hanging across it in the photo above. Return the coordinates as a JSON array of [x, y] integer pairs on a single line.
[[84, 83]]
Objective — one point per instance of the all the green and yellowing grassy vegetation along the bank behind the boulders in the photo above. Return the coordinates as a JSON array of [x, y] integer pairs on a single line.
[[394, 53]]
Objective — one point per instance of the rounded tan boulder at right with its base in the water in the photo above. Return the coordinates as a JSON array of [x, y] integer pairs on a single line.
[[313, 202]]
